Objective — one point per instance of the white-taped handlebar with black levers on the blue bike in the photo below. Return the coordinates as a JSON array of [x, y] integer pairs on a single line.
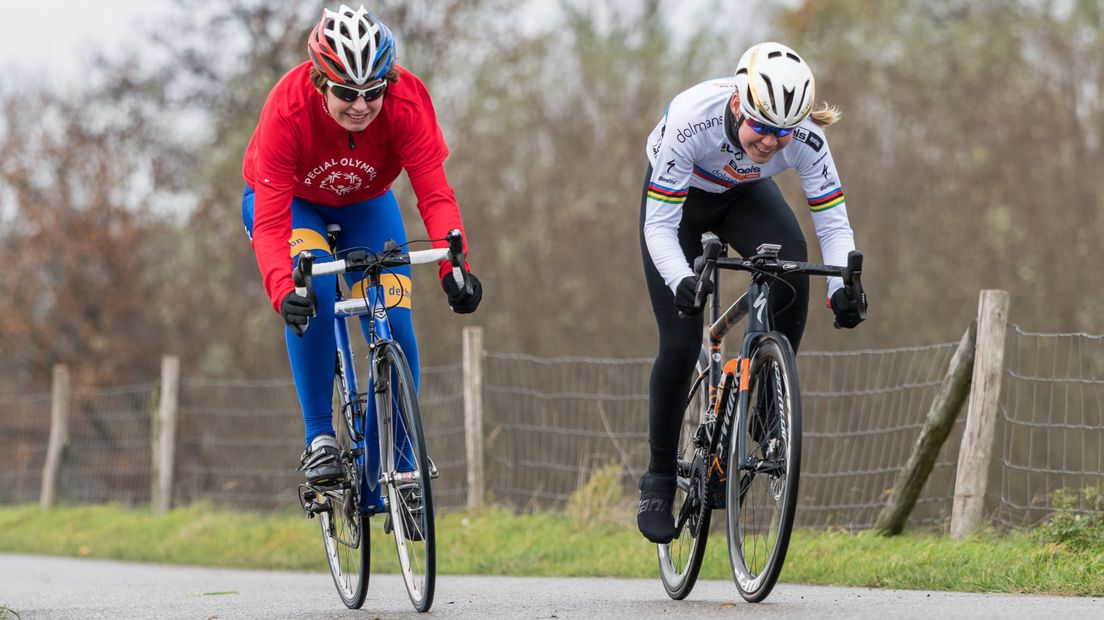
[[304, 273]]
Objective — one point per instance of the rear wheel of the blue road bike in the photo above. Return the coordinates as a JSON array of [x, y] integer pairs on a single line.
[[345, 528]]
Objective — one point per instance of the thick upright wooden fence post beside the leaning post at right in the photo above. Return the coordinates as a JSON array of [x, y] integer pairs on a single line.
[[982, 416]]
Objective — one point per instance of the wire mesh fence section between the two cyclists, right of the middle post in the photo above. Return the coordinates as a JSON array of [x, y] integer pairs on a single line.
[[551, 423]]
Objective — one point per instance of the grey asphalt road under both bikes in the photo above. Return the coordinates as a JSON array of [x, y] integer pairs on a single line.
[[39, 587]]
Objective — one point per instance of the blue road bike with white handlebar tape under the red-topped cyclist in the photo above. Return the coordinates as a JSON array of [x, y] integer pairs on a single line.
[[388, 471]]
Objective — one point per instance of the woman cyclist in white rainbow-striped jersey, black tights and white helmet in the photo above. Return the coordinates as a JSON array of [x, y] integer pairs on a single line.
[[712, 161]]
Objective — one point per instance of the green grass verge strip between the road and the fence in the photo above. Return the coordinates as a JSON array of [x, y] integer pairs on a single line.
[[496, 542]]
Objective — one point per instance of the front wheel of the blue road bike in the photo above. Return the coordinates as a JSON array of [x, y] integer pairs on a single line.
[[407, 467]]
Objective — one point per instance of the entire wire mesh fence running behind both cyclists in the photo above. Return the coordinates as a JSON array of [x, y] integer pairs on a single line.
[[550, 424]]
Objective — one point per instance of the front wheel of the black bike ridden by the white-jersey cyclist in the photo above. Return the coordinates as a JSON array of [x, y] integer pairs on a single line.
[[762, 496]]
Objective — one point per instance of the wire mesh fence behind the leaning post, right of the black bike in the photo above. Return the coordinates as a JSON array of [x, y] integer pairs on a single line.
[[862, 413]]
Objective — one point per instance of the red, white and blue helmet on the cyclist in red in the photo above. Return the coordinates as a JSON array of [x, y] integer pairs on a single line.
[[352, 47]]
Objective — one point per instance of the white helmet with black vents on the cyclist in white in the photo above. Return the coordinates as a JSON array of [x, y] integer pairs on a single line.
[[776, 85]]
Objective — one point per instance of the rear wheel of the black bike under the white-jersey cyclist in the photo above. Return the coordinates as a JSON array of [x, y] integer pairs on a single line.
[[681, 560]]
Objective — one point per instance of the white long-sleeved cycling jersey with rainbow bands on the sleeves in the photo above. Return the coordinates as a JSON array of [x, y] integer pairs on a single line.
[[691, 148]]
